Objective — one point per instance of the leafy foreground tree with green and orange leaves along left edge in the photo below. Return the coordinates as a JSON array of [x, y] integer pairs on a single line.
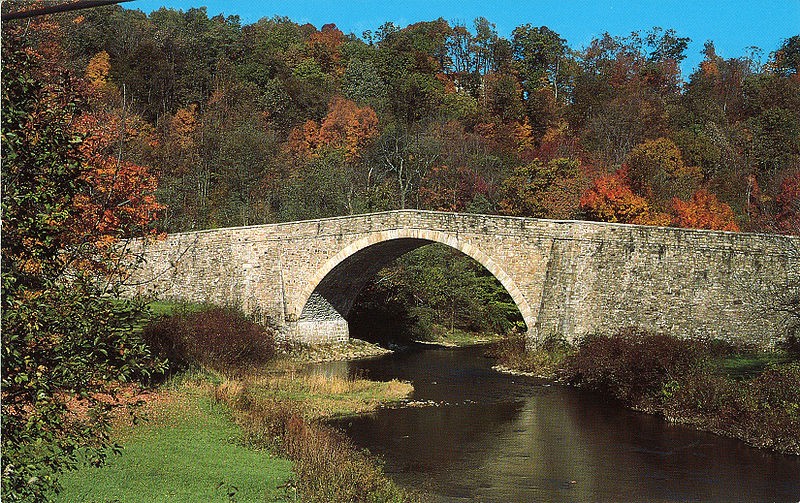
[[67, 341]]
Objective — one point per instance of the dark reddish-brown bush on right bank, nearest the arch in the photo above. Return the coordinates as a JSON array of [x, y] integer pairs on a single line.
[[634, 366]]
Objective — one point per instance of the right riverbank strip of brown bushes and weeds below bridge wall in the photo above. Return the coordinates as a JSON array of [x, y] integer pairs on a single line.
[[733, 391]]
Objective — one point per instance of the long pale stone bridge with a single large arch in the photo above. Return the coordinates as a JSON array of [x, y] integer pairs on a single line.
[[568, 278]]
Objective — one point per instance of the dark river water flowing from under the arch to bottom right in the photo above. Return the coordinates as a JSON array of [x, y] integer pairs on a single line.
[[493, 437]]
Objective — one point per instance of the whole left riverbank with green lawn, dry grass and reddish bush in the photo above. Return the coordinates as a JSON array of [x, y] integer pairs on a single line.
[[236, 400]]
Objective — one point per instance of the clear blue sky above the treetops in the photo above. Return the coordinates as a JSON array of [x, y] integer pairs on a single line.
[[733, 25]]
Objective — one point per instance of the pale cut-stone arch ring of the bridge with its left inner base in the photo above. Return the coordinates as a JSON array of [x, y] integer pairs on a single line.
[[327, 297]]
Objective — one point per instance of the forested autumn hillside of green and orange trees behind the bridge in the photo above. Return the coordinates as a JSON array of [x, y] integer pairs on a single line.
[[276, 121]]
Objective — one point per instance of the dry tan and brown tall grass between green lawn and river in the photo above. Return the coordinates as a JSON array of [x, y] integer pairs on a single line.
[[285, 416]]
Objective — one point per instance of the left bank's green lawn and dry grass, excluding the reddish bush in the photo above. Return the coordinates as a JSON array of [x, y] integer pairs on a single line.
[[259, 437]]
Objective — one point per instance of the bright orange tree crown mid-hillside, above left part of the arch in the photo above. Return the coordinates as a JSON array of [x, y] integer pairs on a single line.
[[347, 126]]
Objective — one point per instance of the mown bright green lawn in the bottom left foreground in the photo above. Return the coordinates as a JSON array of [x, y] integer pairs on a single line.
[[189, 452]]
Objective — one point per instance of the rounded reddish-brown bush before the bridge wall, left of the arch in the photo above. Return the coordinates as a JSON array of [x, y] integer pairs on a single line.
[[217, 338]]
